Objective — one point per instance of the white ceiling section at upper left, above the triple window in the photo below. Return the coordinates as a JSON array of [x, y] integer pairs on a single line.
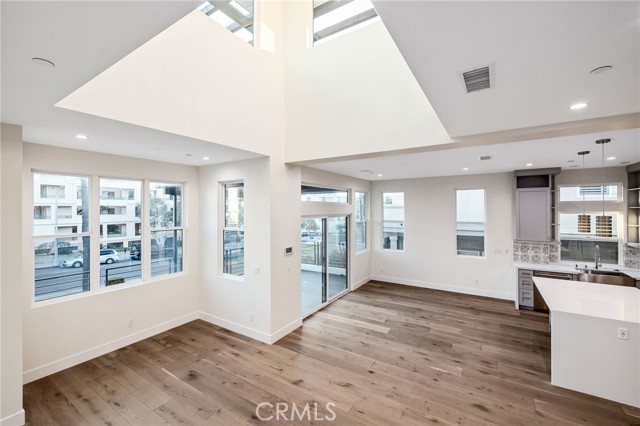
[[83, 38]]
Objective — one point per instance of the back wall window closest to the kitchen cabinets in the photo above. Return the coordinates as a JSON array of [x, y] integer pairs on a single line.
[[470, 222]]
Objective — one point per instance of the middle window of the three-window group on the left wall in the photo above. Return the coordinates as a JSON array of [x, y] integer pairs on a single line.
[[120, 264]]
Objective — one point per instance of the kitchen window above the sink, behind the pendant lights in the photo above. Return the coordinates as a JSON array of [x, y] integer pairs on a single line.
[[574, 200]]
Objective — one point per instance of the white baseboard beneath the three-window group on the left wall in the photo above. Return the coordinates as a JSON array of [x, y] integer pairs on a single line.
[[54, 367]]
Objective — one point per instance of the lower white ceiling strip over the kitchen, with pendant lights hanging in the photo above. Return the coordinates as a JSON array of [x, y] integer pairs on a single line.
[[506, 157]]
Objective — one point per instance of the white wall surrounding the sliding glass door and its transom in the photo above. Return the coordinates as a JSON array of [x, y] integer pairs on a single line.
[[360, 263]]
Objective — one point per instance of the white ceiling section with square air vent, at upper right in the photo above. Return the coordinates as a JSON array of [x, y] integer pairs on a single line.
[[542, 53]]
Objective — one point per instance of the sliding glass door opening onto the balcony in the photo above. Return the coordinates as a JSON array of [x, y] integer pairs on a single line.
[[324, 265]]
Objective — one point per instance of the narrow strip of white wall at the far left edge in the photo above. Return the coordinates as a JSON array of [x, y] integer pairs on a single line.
[[11, 352]]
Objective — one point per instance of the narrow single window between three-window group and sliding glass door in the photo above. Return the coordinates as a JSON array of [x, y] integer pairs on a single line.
[[233, 230]]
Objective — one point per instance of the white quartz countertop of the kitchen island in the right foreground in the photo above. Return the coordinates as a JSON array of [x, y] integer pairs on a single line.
[[595, 300]]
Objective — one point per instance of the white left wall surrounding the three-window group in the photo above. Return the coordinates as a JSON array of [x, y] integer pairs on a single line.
[[61, 333]]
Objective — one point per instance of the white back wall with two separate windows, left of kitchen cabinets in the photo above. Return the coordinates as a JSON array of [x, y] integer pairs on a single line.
[[429, 258]]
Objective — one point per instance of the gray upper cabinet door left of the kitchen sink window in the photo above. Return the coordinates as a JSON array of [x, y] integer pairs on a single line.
[[533, 214]]
